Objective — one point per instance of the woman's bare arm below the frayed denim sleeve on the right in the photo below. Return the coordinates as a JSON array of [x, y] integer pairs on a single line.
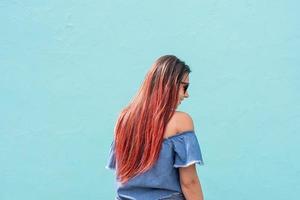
[[190, 183]]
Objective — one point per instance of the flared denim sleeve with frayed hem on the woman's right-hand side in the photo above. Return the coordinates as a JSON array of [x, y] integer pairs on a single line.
[[187, 150]]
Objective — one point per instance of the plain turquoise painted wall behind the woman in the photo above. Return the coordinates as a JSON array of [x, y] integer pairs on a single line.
[[68, 67]]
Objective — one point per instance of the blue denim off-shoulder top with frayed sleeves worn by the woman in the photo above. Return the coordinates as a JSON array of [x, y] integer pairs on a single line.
[[161, 181]]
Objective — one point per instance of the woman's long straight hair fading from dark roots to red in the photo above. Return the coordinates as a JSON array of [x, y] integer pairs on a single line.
[[140, 126]]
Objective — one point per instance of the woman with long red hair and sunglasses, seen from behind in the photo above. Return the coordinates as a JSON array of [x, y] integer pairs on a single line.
[[155, 148]]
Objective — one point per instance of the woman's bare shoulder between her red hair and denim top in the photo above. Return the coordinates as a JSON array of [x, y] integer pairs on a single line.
[[180, 122]]
